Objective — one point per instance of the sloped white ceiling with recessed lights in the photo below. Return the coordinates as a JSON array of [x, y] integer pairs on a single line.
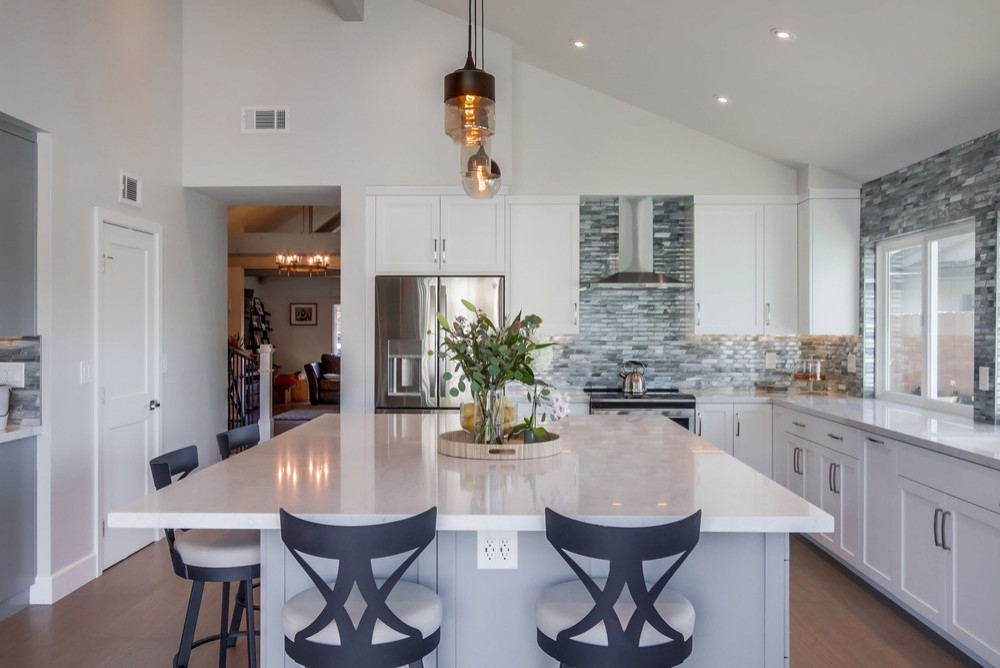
[[867, 87]]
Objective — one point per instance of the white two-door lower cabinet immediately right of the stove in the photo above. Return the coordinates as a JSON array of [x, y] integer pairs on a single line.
[[742, 430]]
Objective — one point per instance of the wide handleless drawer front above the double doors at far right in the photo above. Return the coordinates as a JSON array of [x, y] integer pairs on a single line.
[[970, 482]]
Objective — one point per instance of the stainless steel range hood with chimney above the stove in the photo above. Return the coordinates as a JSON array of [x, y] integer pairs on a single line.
[[635, 249]]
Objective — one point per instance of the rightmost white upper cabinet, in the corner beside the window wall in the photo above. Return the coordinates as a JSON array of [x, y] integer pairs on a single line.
[[829, 252]]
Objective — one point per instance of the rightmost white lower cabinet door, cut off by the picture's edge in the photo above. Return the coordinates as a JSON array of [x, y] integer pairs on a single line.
[[973, 534]]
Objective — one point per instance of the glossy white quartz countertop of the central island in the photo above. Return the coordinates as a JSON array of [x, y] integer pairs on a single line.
[[617, 469]]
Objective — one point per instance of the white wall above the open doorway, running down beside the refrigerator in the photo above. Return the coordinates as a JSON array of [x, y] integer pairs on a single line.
[[366, 108]]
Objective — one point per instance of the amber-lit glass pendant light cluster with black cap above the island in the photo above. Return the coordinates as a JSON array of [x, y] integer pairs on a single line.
[[470, 115]]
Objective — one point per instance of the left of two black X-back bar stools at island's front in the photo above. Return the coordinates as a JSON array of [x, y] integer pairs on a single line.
[[357, 620]]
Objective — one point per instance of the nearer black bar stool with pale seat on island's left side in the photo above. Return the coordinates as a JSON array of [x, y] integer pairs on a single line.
[[209, 555]]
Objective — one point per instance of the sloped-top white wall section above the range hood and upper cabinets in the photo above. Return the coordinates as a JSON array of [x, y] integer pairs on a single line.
[[571, 140]]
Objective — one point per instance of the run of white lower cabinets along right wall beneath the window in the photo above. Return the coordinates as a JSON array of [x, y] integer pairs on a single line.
[[918, 524]]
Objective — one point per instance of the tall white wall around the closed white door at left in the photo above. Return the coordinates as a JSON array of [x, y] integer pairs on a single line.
[[104, 78]]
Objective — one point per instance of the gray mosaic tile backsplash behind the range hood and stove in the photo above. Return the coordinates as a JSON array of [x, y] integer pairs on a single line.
[[656, 326]]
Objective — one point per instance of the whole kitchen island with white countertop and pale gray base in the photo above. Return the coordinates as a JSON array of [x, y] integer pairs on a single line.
[[622, 470]]
